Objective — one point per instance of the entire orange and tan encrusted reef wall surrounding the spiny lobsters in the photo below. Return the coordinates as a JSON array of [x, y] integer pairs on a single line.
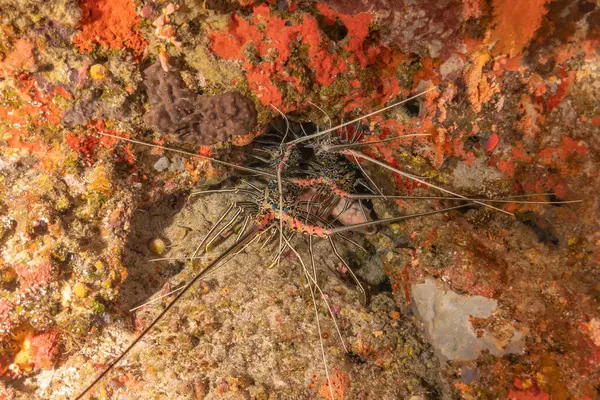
[[516, 111]]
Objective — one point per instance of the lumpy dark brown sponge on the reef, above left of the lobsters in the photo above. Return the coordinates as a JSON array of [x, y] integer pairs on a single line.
[[199, 120]]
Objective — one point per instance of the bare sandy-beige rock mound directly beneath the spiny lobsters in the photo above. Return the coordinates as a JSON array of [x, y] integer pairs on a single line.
[[249, 331]]
